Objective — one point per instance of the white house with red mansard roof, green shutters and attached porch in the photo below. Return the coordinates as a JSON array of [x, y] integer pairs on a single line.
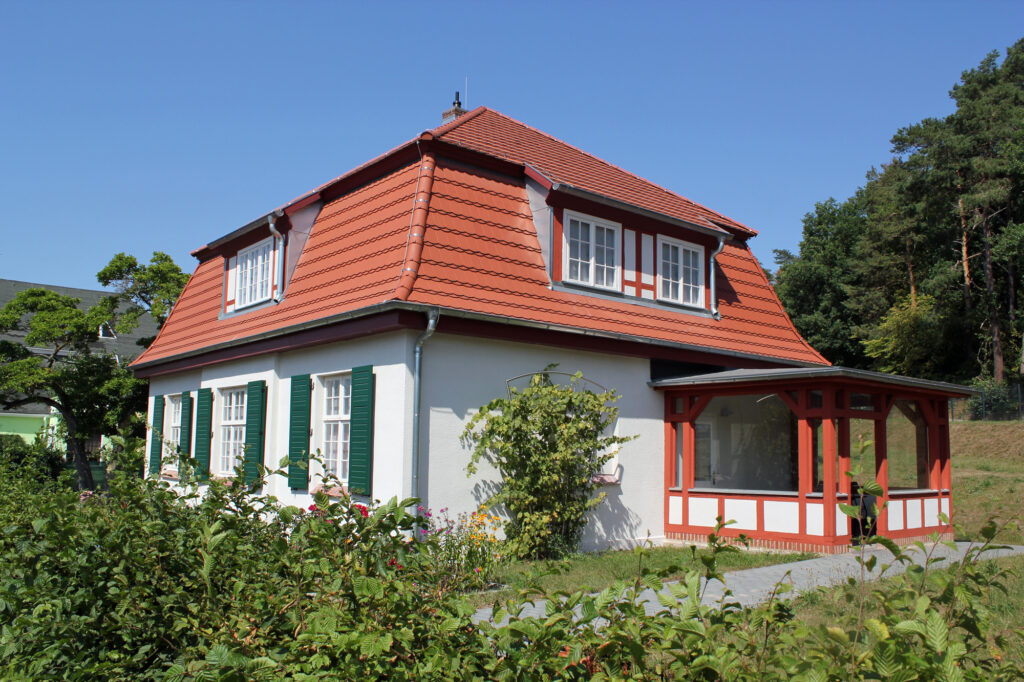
[[369, 318]]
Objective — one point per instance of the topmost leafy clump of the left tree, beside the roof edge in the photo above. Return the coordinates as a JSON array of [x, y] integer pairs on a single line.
[[153, 288]]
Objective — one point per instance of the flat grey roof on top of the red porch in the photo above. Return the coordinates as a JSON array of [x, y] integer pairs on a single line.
[[861, 378]]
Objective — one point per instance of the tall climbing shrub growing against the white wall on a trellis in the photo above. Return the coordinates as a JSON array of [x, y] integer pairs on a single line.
[[548, 443]]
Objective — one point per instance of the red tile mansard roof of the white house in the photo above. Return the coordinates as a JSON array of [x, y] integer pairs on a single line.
[[482, 257]]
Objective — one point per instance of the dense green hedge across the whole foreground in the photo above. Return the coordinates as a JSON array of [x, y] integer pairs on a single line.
[[149, 583]]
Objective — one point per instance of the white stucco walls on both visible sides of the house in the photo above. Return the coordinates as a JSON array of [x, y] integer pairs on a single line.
[[460, 375]]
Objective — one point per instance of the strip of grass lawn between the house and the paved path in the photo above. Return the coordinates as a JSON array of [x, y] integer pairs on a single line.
[[595, 572]]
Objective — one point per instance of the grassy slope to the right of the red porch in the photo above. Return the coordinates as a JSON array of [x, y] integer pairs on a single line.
[[989, 475]]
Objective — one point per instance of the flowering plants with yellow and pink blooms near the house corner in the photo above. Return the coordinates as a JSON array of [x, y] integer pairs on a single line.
[[467, 550]]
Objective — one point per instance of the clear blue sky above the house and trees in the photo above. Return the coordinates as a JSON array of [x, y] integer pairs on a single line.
[[162, 126]]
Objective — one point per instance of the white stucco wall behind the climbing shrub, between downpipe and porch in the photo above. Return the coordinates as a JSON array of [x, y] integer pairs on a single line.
[[461, 374]]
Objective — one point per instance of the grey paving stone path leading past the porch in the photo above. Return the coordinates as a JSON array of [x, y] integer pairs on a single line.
[[754, 586]]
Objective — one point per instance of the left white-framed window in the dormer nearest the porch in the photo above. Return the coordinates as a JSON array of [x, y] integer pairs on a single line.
[[592, 251]]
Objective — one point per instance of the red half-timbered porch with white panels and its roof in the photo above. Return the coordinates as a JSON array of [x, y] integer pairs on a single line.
[[778, 451]]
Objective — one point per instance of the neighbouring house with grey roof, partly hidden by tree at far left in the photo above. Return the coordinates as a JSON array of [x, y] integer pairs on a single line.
[[29, 420]]
